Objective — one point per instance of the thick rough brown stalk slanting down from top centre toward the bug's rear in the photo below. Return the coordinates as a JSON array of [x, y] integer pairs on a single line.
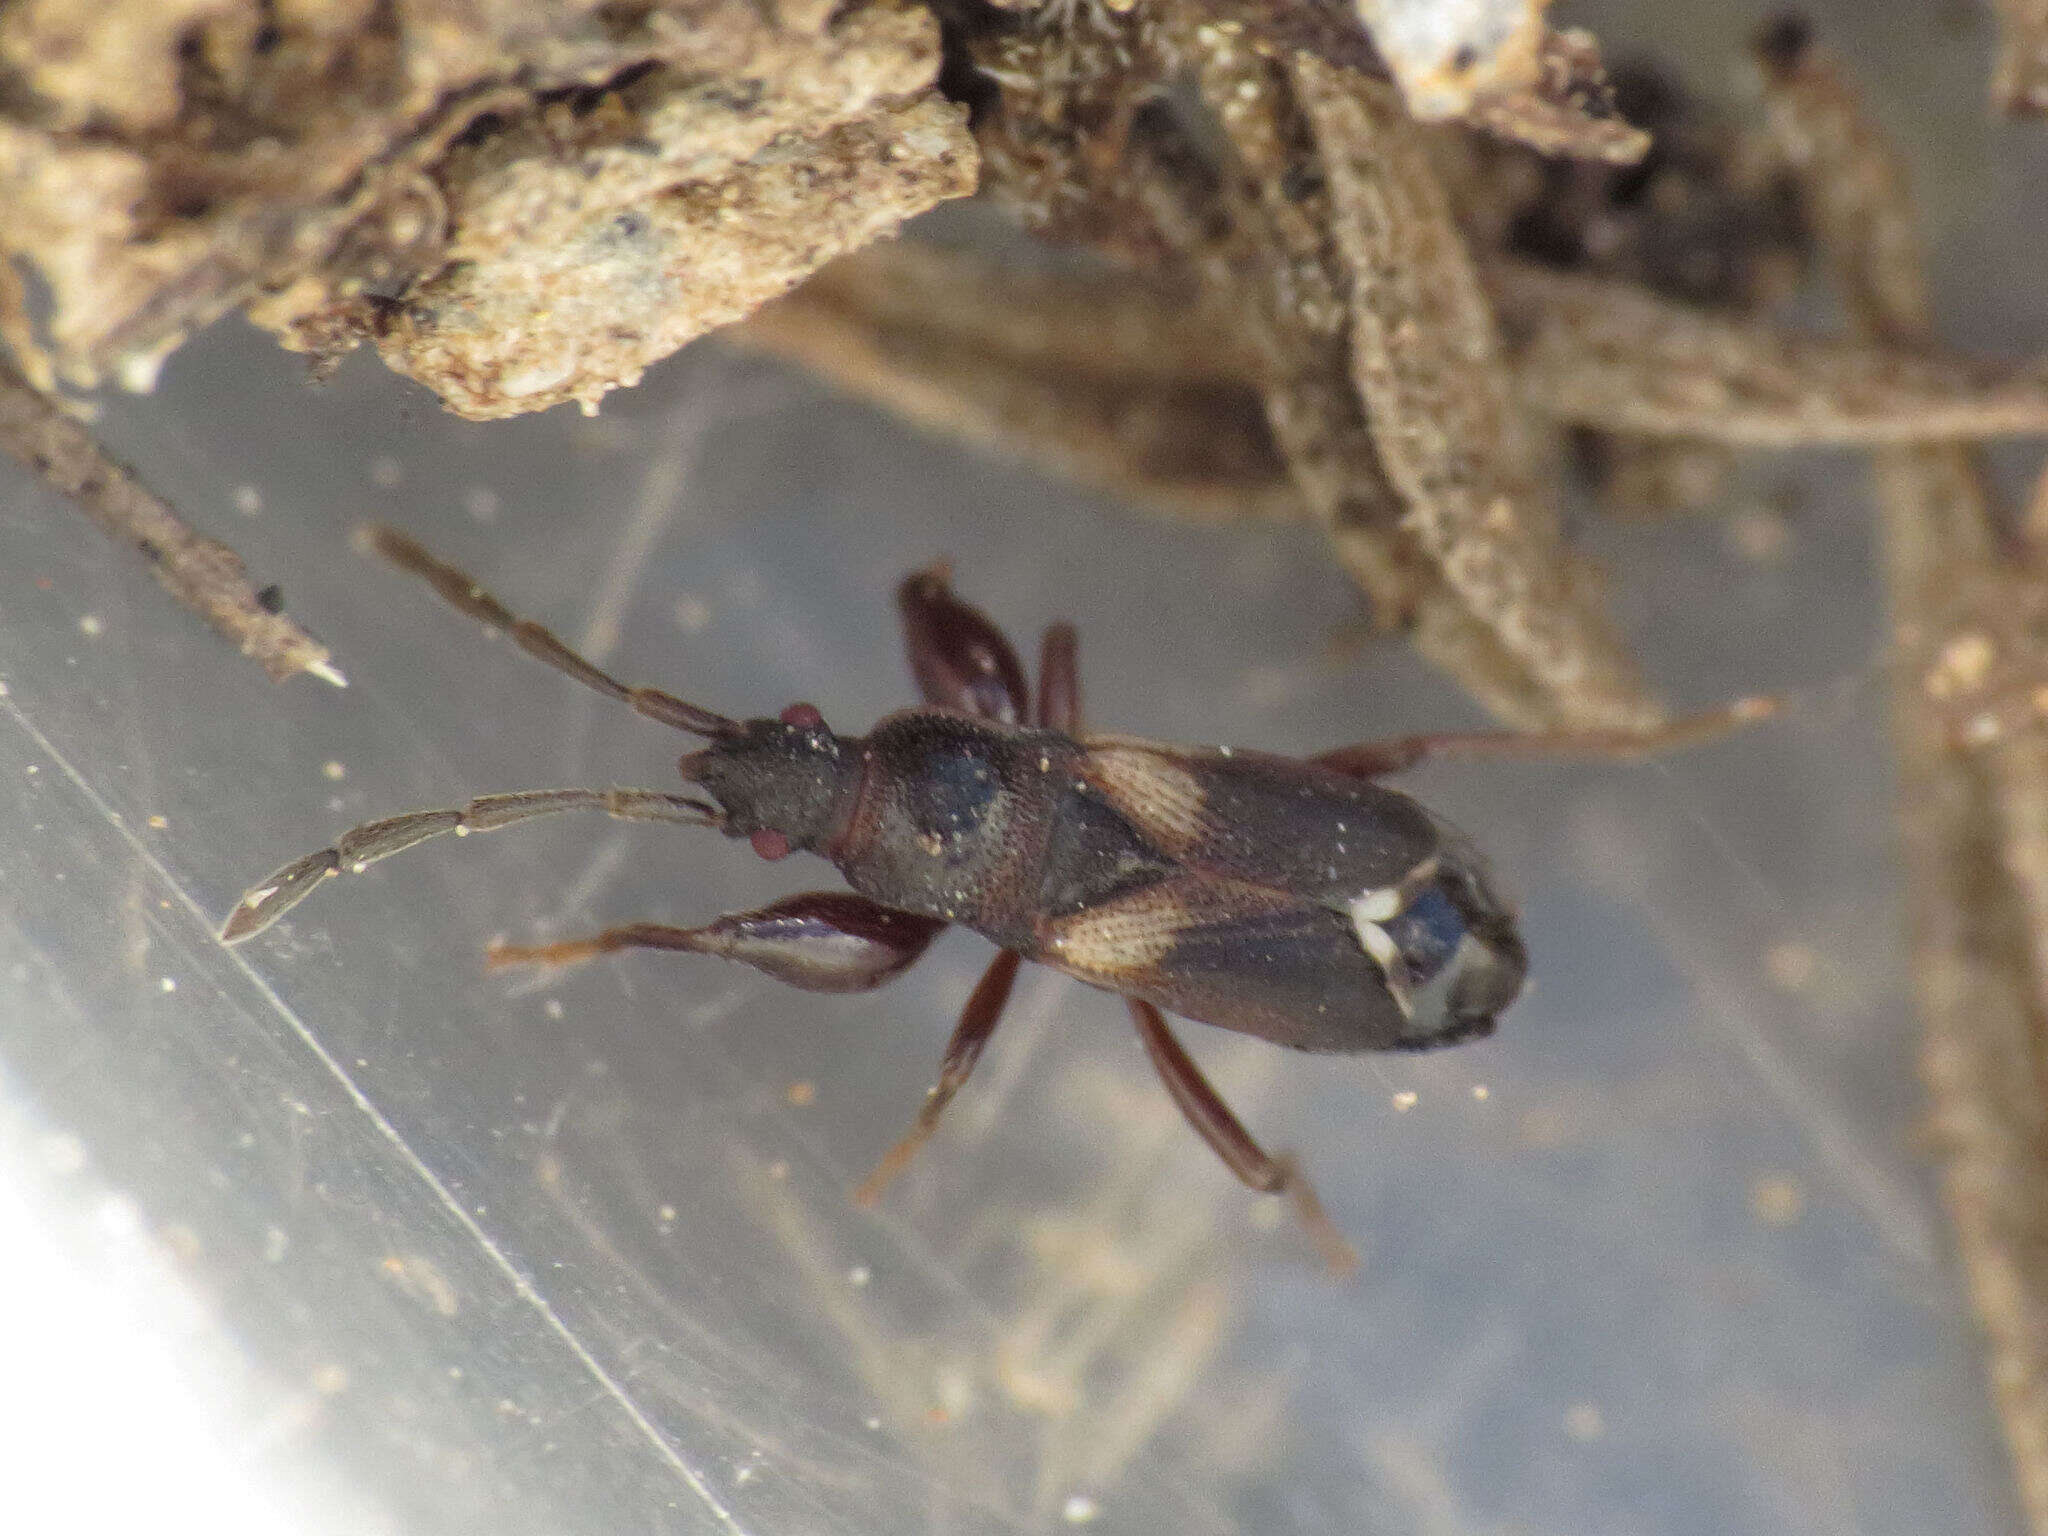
[[1242, 185]]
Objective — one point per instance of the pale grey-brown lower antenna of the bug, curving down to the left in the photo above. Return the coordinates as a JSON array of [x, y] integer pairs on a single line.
[[357, 849]]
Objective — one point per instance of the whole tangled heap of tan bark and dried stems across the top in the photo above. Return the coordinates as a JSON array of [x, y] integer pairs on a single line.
[[1336, 300]]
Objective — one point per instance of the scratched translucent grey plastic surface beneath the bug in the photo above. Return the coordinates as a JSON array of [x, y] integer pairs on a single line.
[[577, 1254]]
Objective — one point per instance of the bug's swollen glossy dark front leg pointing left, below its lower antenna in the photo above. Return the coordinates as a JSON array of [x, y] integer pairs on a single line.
[[818, 941]]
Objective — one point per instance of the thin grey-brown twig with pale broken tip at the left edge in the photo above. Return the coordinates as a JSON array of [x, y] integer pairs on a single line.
[[200, 572]]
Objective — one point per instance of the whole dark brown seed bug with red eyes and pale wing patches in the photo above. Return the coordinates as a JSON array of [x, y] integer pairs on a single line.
[[1295, 900]]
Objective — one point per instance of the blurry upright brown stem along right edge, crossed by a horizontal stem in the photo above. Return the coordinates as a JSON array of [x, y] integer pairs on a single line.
[[1973, 802]]
